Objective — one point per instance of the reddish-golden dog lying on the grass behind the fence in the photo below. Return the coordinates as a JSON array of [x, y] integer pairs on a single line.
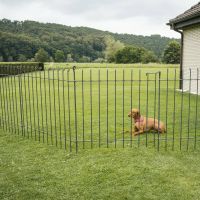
[[143, 124]]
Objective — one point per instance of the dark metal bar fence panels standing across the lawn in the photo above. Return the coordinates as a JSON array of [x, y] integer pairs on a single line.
[[88, 108]]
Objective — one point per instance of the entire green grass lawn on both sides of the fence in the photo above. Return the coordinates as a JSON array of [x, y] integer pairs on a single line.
[[40, 106]]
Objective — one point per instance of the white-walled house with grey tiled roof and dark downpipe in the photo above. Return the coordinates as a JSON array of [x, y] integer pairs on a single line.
[[188, 25]]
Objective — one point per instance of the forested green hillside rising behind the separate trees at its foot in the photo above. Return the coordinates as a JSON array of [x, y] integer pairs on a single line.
[[21, 40]]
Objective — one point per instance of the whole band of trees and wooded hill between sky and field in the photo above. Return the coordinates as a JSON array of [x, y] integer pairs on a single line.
[[34, 41]]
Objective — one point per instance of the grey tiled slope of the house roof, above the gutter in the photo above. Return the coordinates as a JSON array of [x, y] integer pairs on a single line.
[[193, 12]]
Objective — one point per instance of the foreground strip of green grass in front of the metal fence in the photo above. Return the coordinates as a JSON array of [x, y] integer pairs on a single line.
[[31, 170]]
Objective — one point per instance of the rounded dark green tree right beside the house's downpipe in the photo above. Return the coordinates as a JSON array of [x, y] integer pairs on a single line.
[[172, 53]]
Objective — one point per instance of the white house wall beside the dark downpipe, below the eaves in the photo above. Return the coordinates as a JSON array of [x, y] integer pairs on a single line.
[[191, 58]]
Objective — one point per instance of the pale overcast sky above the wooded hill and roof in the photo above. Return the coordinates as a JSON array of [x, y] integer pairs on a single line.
[[140, 17]]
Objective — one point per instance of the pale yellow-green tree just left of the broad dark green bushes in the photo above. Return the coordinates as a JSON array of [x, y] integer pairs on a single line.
[[112, 46]]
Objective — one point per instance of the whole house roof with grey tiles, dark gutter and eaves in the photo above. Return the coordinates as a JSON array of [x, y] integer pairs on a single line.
[[189, 17]]
